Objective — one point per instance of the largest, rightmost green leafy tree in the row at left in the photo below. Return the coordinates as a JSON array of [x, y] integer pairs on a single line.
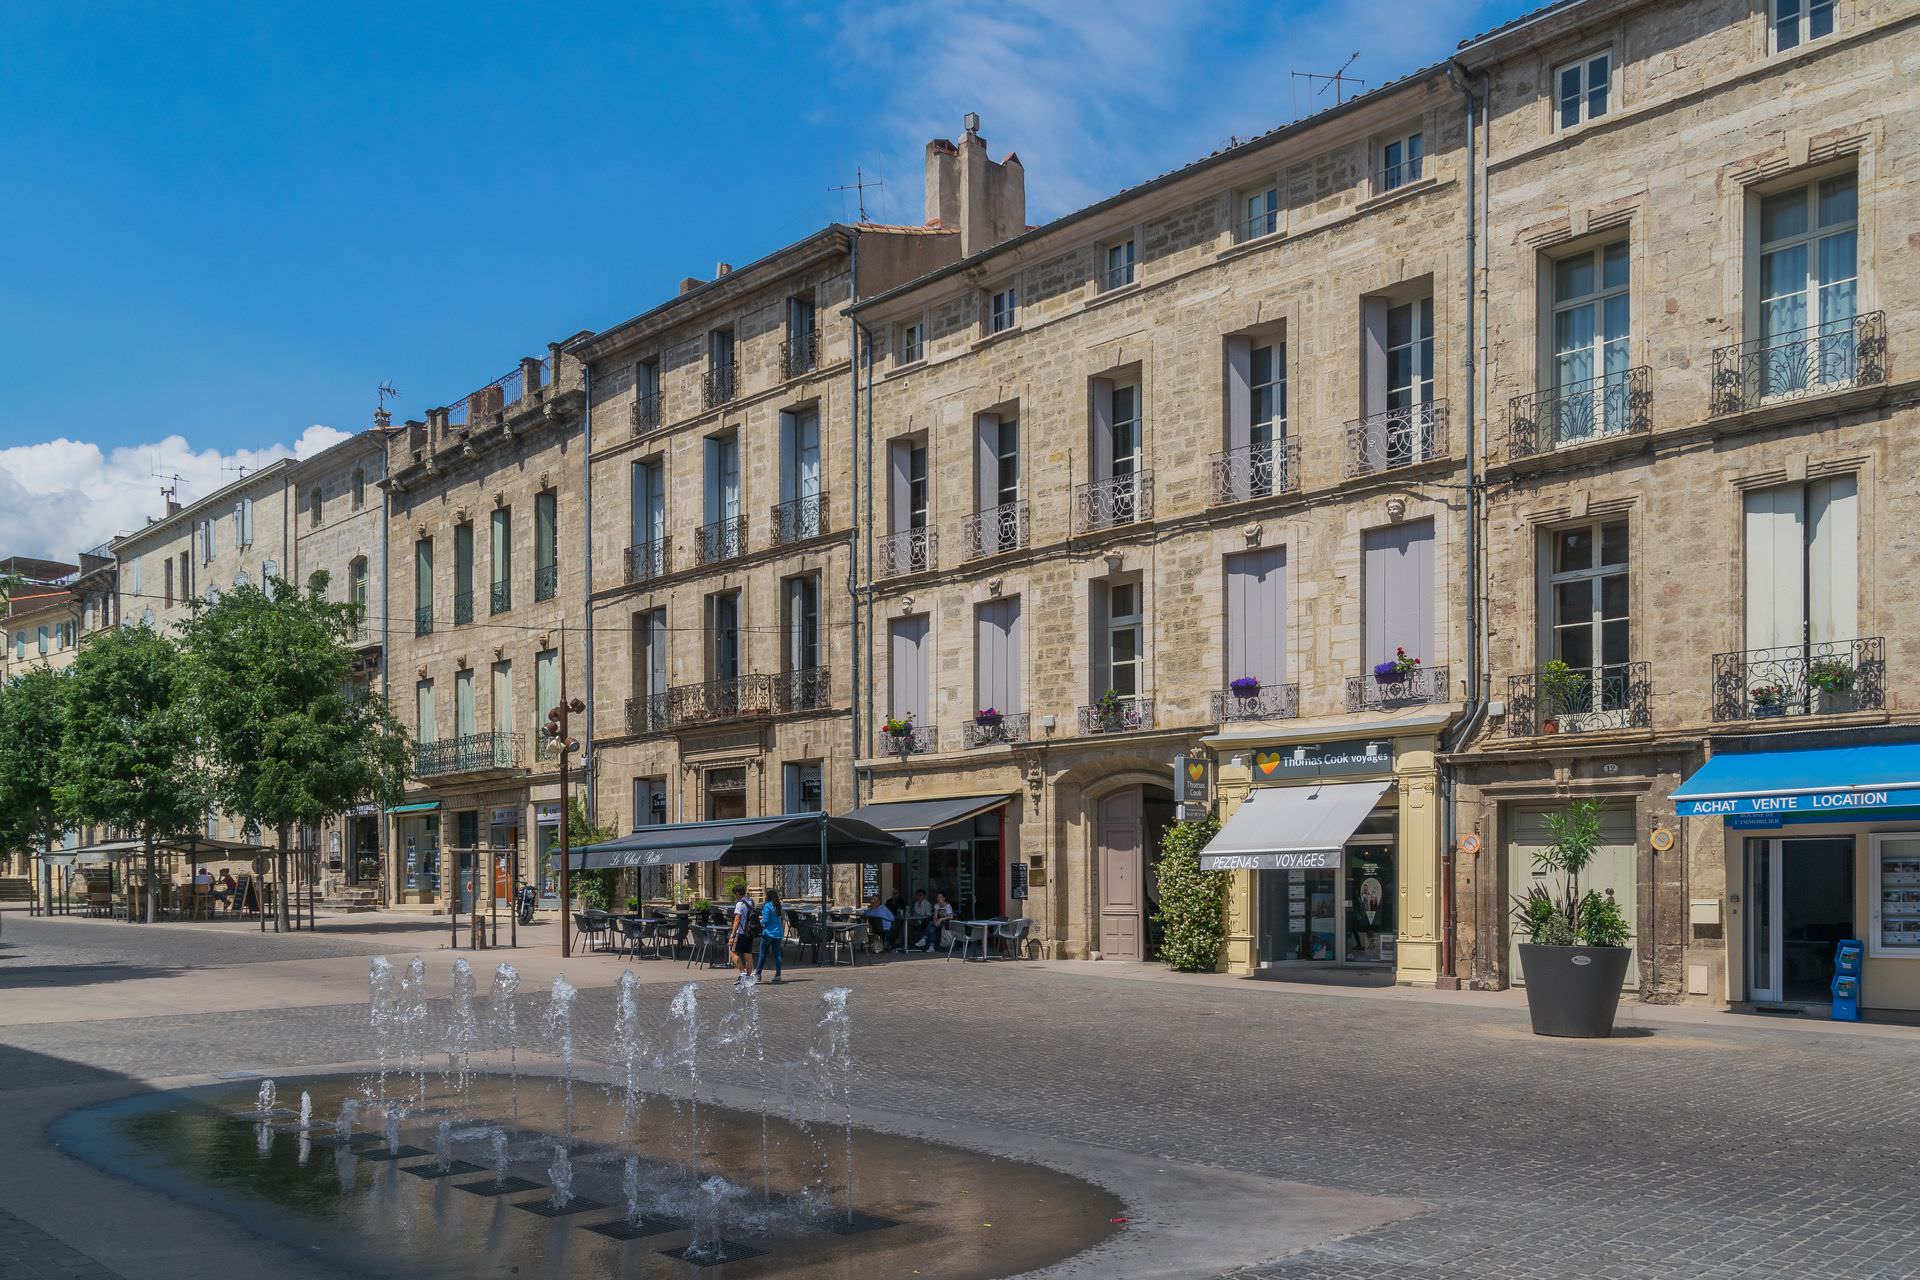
[[268, 676]]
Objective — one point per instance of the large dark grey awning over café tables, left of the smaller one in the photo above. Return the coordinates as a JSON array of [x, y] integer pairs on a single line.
[[742, 841]]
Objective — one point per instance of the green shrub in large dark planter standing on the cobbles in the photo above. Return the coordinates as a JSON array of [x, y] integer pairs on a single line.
[[1575, 955]]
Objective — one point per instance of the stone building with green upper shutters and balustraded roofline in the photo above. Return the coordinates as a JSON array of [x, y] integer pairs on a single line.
[[487, 598]]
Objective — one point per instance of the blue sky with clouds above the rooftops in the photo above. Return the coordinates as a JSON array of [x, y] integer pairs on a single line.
[[229, 224]]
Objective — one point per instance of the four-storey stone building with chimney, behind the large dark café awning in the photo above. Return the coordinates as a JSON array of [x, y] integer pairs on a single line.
[[723, 475]]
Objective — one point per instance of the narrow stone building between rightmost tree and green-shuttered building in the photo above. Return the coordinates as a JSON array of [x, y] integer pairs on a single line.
[[341, 529]]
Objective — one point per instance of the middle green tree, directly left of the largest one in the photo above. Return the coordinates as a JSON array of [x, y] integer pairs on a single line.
[[128, 751]]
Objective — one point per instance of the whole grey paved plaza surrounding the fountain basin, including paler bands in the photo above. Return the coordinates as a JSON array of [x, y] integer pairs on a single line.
[[1696, 1145]]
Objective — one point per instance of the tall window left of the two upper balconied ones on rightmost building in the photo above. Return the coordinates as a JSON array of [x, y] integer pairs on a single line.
[[1593, 331]]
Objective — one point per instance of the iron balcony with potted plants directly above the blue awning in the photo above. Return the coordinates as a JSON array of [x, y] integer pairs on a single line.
[[1827, 678]]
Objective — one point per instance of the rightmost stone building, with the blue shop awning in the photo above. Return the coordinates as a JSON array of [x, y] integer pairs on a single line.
[[1700, 249]]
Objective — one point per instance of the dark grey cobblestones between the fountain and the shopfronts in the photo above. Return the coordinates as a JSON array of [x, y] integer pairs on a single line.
[[1750, 1149]]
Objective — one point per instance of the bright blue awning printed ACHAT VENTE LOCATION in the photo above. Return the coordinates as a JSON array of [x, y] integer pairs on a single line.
[[1827, 780]]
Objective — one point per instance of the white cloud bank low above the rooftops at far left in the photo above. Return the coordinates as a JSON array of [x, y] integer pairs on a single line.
[[64, 496]]
